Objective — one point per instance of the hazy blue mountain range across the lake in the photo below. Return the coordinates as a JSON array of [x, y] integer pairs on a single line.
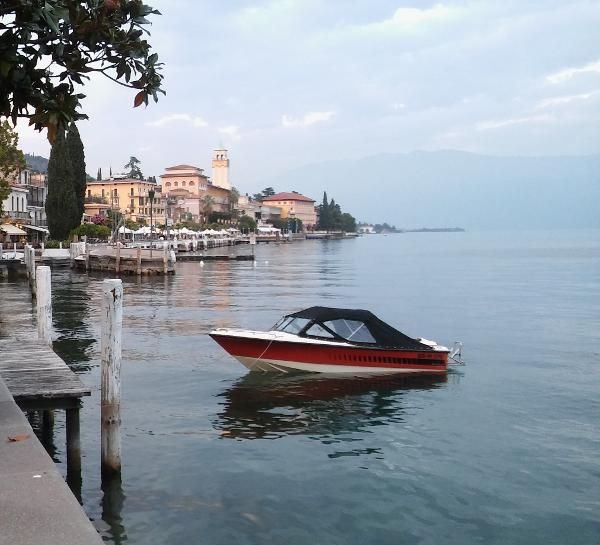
[[447, 188]]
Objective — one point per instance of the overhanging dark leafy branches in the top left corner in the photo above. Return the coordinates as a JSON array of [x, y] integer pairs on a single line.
[[48, 47]]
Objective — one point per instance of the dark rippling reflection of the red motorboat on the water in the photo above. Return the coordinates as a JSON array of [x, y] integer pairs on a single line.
[[267, 406]]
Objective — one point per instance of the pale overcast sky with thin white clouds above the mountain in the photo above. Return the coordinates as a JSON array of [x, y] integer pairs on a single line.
[[284, 83]]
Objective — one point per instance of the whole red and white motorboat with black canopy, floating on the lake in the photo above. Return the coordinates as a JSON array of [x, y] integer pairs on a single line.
[[332, 340]]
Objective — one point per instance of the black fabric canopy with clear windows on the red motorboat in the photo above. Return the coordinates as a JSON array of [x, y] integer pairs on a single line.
[[350, 325]]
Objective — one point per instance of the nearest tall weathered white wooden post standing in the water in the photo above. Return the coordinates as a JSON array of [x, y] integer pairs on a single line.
[[112, 320]]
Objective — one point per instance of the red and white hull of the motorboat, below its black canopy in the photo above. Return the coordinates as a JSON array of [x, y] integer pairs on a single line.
[[270, 355]]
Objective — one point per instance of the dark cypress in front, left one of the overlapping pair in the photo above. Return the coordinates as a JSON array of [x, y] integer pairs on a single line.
[[61, 203]]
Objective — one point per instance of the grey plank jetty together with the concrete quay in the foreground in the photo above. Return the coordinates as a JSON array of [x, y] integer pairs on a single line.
[[36, 503]]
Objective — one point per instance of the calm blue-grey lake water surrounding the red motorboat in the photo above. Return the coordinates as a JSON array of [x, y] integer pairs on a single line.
[[506, 450]]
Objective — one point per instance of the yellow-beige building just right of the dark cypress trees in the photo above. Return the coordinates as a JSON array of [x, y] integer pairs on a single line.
[[128, 195]]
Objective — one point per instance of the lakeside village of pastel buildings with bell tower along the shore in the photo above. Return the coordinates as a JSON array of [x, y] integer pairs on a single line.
[[186, 204]]
